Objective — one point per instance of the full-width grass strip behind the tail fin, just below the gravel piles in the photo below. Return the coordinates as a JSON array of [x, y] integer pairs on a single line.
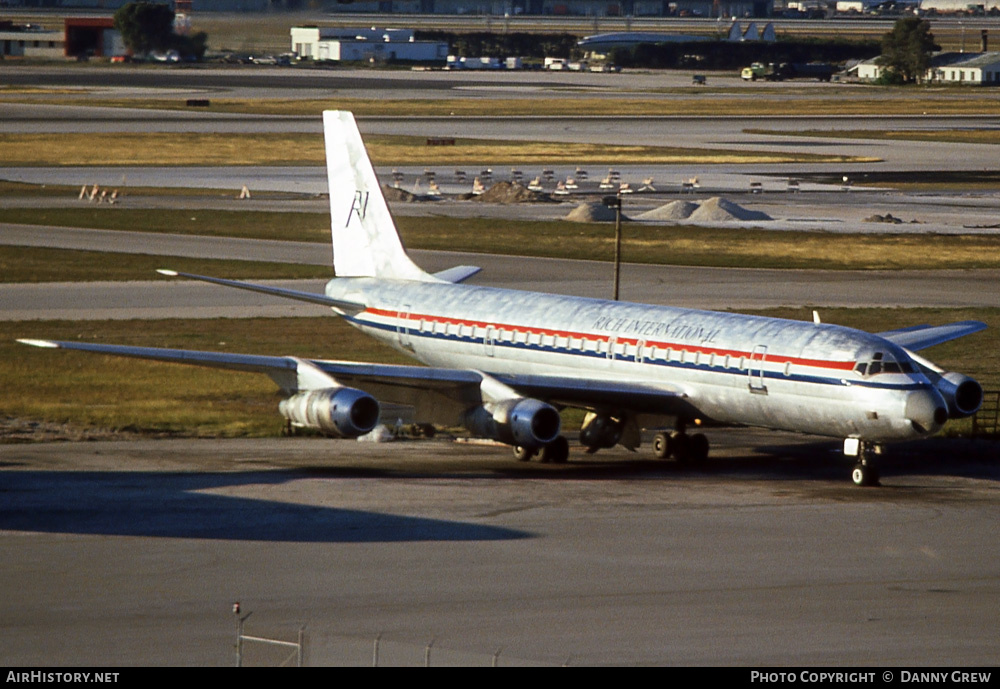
[[653, 244]]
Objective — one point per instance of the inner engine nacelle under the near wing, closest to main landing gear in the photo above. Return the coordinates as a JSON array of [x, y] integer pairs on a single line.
[[520, 421]]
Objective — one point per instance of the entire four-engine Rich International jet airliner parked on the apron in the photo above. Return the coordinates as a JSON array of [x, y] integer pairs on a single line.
[[503, 362]]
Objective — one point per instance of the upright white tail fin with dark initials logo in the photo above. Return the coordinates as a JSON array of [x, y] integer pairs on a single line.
[[365, 240]]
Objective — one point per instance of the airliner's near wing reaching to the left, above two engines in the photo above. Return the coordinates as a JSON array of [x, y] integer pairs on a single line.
[[441, 394]]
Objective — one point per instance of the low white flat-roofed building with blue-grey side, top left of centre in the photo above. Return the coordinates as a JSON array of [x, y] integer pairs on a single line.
[[356, 45]]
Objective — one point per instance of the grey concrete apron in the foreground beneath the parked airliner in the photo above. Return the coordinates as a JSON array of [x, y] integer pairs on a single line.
[[132, 553]]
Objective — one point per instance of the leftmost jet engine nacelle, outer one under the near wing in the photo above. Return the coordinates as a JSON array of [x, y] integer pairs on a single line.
[[340, 412]]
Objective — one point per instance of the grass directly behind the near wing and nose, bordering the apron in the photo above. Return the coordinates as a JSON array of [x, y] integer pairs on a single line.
[[93, 391]]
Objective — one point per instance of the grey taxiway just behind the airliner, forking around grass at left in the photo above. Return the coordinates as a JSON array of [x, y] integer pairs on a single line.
[[691, 287]]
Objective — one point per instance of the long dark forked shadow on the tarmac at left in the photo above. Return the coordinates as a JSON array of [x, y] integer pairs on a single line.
[[168, 505]]
